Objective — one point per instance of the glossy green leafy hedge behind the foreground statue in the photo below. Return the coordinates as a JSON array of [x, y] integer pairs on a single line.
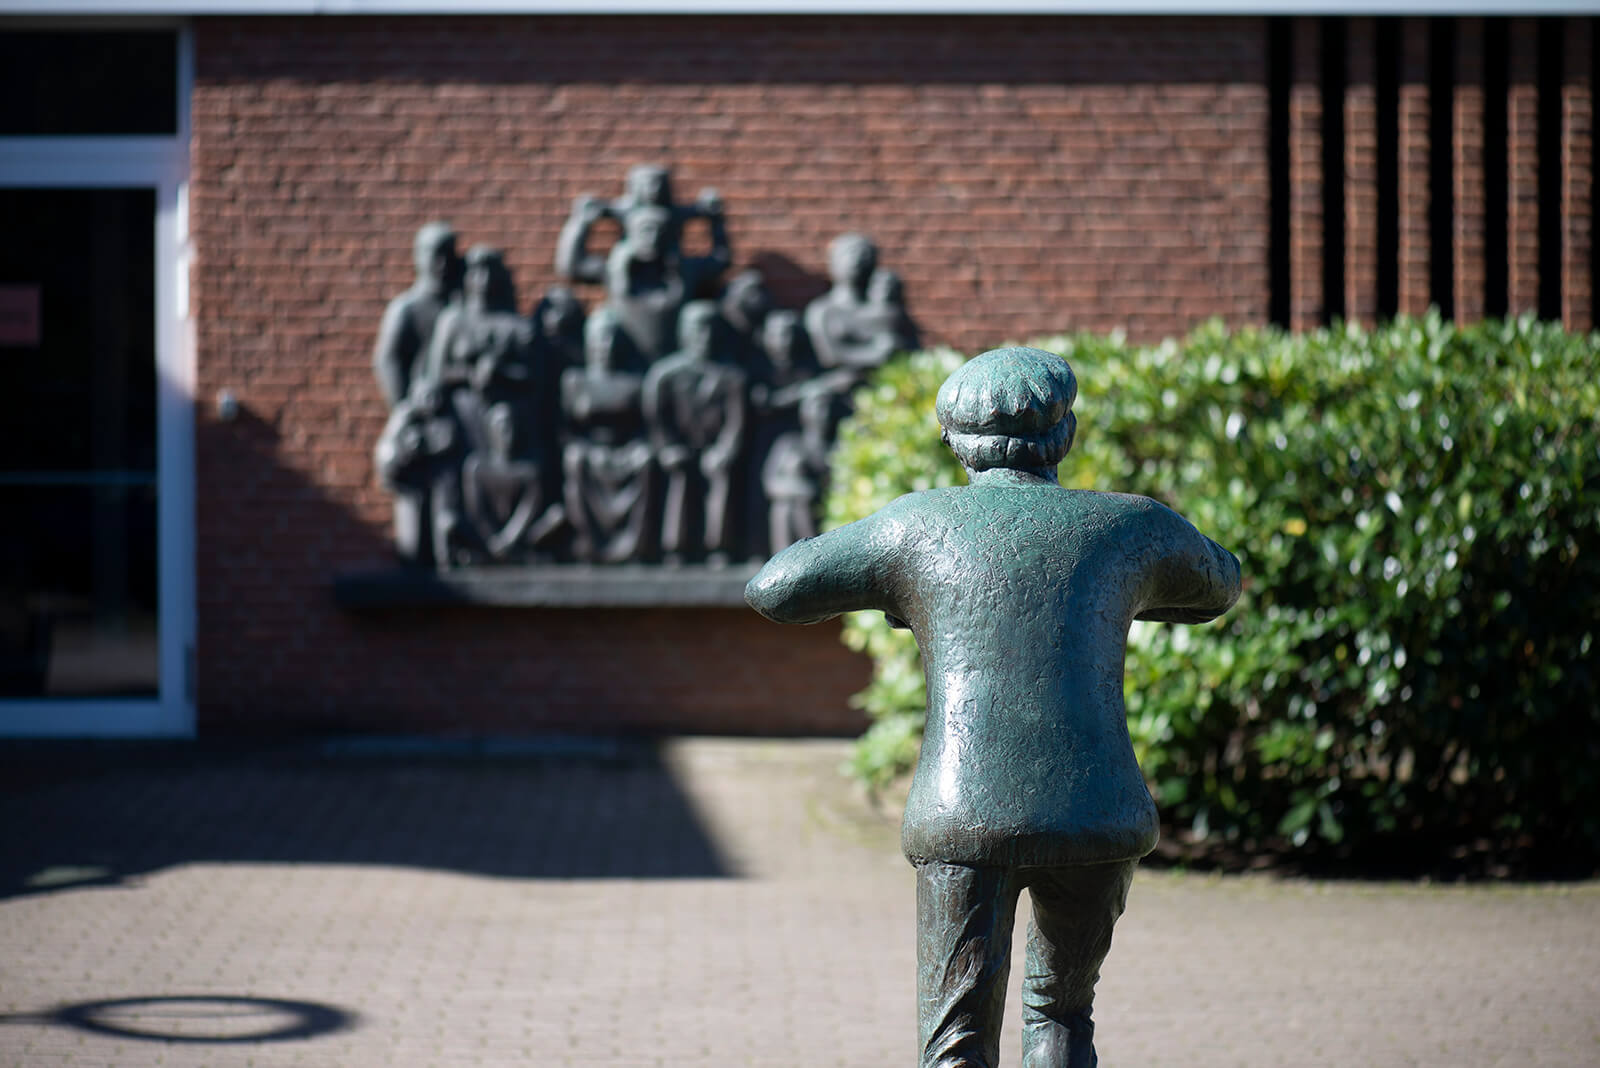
[[1418, 517]]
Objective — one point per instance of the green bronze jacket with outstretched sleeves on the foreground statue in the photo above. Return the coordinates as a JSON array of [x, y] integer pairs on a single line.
[[1020, 596]]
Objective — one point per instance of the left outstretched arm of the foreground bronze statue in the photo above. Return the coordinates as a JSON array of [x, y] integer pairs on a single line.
[[818, 578]]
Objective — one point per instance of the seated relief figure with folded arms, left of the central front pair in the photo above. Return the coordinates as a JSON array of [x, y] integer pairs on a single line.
[[607, 463]]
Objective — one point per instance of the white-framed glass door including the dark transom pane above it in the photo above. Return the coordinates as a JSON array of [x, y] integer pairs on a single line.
[[97, 381]]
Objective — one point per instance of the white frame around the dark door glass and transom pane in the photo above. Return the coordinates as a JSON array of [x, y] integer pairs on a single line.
[[161, 164]]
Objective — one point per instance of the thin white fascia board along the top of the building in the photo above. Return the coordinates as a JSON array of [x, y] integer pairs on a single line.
[[793, 7]]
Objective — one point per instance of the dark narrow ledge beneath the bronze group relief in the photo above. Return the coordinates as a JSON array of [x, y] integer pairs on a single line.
[[551, 586]]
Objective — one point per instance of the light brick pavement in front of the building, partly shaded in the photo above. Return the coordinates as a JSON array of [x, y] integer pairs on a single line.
[[710, 904]]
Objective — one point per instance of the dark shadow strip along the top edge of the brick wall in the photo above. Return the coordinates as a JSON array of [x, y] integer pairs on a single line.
[[871, 50]]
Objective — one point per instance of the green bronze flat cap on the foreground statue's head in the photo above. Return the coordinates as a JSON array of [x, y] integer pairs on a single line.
[[1014, 393]]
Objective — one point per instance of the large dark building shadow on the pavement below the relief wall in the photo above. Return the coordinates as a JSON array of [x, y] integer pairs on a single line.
[[98, 815]]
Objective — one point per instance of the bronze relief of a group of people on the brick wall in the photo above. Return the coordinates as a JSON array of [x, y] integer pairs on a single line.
[[689, 423]]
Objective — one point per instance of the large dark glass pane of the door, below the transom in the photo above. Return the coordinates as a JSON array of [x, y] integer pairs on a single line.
[[78, 445]]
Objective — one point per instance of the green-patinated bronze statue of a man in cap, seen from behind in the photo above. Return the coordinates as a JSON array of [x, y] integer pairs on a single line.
[[1020, 594]]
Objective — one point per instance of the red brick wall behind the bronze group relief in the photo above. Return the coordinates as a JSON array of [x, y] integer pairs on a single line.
[[1023, 175]]
